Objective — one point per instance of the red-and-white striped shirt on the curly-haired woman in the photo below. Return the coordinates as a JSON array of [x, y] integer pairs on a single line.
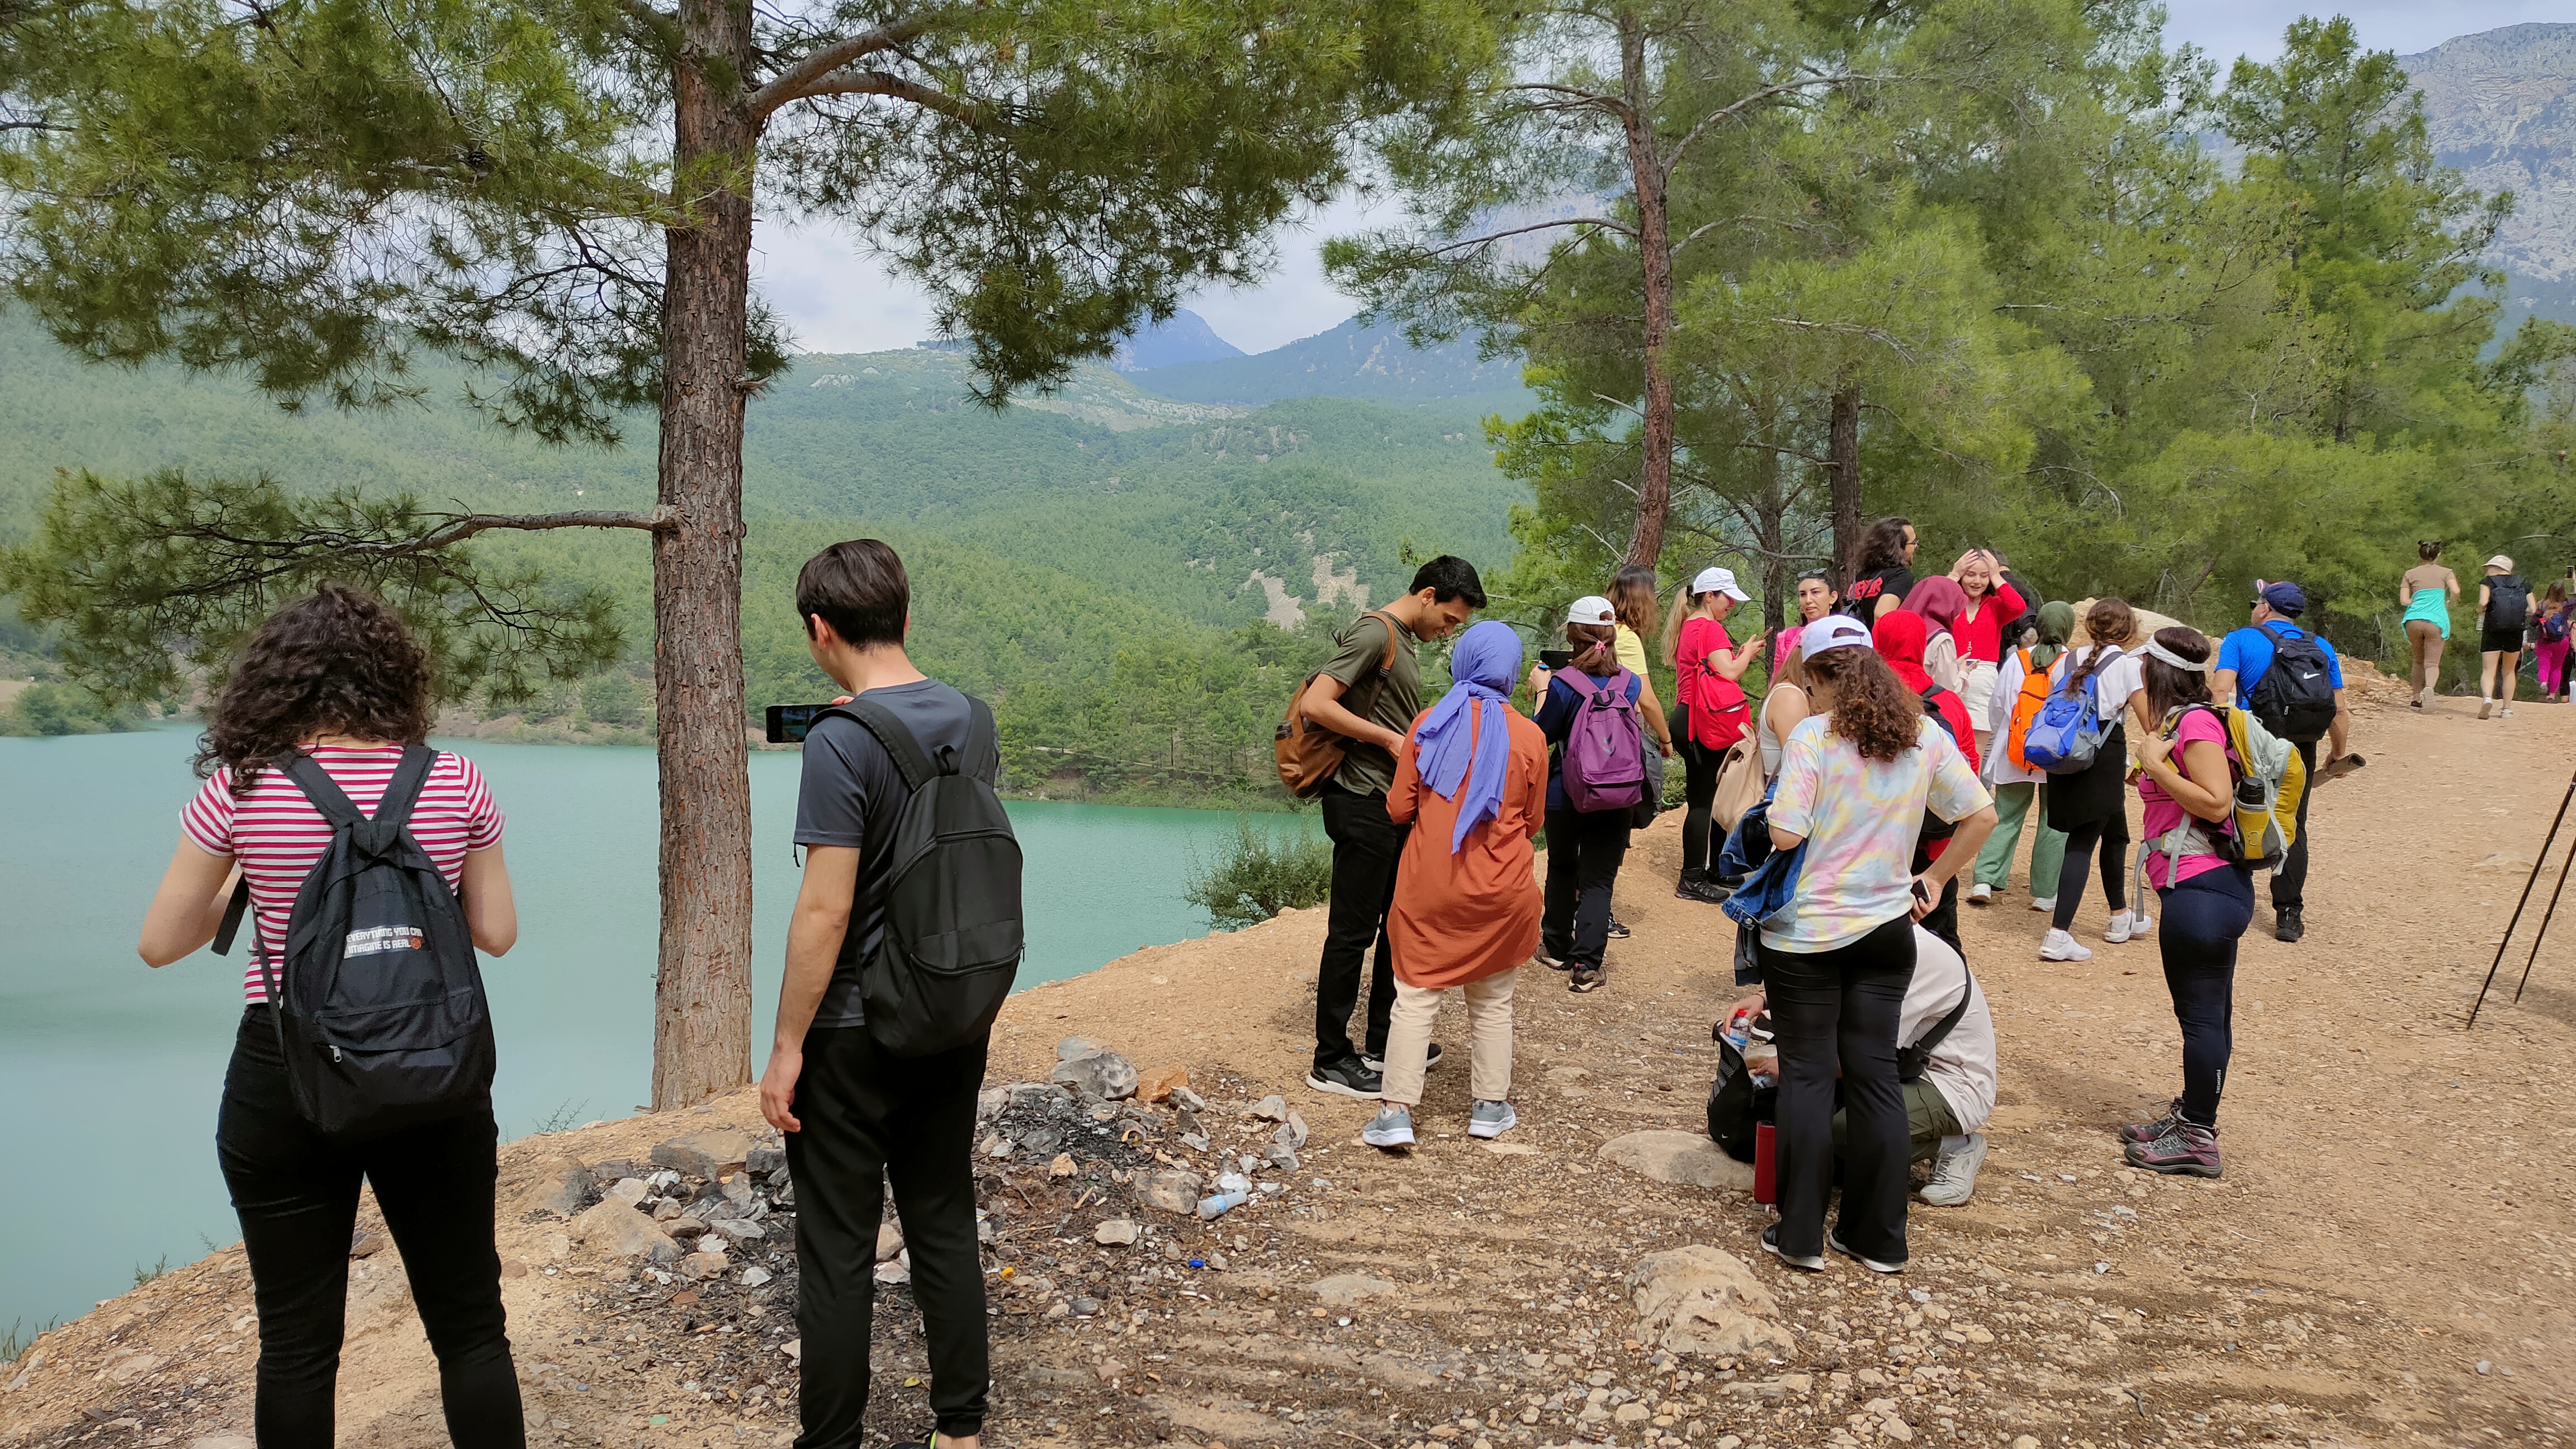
[[279, 837]]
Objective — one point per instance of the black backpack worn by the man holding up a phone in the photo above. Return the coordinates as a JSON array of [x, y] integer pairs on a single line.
[[954, 929]]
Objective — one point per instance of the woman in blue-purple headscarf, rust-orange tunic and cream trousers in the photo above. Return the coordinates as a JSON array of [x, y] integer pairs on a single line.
[[1475, 785]]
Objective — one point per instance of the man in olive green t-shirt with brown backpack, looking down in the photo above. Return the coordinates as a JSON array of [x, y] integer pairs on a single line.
[[1364, 839]]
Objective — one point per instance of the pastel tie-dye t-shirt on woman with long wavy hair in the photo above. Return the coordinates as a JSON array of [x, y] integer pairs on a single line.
[[1859, 819]]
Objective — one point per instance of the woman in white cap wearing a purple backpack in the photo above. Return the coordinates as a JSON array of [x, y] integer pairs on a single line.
[[1586, 847]]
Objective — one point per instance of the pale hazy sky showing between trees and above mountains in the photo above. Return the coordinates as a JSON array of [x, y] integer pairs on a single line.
[[841, 303]]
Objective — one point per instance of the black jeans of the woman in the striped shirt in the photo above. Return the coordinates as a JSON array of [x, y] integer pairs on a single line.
[[298, 1198]]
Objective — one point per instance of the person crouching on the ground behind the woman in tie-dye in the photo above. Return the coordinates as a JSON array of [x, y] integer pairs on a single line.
[[1951, 1092]]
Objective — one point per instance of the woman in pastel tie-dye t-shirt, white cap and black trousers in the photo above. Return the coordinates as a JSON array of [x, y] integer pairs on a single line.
[[1856, 780]]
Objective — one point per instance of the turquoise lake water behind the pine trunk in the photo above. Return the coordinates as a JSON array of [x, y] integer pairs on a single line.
[[109, 1071]]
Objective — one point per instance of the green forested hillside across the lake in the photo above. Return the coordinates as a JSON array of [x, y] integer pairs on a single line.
[[1132, 579]]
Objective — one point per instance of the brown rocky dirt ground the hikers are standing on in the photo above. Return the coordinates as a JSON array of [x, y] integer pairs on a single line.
[[2387, 1262]]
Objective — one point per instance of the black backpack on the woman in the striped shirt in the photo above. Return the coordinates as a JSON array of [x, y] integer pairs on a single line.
[[380, 1004]]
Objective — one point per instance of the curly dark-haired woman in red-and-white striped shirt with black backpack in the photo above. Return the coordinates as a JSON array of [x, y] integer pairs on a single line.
[[339, 679]]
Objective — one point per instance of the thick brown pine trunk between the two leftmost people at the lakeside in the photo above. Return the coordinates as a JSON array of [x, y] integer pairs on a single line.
[[705, 984]]
